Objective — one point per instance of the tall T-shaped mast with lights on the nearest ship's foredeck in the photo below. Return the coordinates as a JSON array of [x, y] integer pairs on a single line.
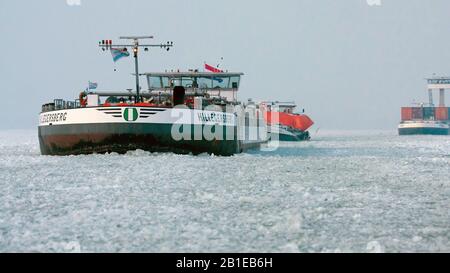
[[108, 45]]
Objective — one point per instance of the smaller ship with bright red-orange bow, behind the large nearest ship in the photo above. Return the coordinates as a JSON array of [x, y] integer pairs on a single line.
[[284, 124]]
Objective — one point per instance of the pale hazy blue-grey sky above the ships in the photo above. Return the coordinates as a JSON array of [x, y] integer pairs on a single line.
[[350, 65]]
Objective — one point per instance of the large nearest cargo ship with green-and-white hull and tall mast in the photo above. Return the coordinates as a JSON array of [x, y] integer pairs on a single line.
[[182, 112]]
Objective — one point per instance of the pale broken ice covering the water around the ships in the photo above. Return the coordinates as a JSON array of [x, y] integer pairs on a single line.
[[341, 192]]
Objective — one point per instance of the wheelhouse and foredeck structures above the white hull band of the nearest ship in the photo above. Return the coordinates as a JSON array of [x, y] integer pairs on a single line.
[[165, 90]]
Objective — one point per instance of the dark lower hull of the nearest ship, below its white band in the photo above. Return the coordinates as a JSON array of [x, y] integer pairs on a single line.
[[107, 138]]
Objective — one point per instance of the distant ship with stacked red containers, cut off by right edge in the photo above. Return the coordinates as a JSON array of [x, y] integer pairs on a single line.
[[427, 119]]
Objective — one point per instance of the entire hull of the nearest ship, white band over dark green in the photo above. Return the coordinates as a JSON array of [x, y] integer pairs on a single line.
[[121, 129]]
